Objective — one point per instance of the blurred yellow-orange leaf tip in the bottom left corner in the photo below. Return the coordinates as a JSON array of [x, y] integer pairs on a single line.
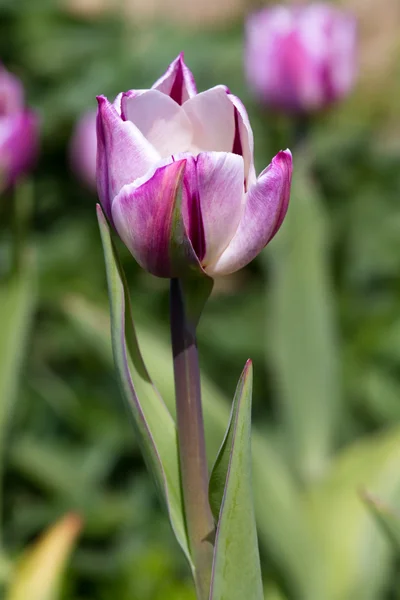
[[38, 574]]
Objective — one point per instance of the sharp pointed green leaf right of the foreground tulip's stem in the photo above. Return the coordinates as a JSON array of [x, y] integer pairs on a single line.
[[236, 565]]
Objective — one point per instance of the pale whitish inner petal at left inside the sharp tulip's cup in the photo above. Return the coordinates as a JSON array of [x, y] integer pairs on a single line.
[[161, 120]]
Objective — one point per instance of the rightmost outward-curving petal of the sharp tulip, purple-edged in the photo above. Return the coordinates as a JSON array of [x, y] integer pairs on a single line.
[[265, 208]]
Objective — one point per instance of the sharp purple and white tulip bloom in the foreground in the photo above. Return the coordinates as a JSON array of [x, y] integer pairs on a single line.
[[176, 177]]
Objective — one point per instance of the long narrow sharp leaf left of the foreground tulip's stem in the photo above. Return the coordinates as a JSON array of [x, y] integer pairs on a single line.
[[154, 425]]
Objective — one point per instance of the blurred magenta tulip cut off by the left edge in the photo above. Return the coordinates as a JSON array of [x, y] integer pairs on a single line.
[[18, 131]]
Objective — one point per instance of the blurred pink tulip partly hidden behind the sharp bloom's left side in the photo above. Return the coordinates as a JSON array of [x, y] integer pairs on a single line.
[[83, 149]]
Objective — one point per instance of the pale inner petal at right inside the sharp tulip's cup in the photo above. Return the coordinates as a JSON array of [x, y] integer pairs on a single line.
[[212, 116]]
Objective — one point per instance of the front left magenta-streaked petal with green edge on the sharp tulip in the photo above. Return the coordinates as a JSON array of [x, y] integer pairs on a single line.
[[146, 219]]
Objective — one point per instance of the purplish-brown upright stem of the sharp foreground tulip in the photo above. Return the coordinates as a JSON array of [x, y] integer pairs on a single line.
[[192, 452]]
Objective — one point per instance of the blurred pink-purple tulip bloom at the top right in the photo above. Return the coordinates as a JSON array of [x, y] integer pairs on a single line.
[[300, 58]]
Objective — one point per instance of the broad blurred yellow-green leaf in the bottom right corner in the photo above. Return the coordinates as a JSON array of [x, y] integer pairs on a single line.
[[356, 556]]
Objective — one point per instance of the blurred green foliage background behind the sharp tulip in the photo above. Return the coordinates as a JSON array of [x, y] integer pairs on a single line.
[[318, 312]]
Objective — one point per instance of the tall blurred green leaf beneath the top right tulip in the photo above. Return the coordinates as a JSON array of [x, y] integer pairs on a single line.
[[302, 336]]
